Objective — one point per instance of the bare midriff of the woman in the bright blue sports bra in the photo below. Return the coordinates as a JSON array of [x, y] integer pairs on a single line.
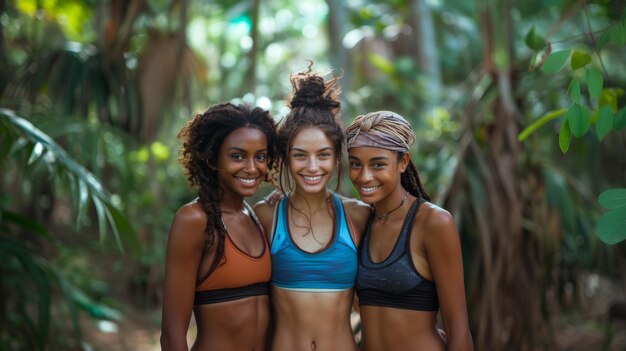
[[312, 320]]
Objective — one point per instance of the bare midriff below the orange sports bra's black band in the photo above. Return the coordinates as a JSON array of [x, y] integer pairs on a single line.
[[232, 325]]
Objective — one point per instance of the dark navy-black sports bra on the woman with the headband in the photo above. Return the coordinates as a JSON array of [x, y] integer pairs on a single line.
[[395, 282]]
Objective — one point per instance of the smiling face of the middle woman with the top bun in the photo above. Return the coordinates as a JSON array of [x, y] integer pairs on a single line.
[[312, 159]]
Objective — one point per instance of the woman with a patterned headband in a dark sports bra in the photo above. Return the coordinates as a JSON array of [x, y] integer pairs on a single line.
[[410, 264]]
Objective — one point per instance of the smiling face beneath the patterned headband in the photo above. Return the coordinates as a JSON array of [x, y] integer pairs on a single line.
[[376, 172]]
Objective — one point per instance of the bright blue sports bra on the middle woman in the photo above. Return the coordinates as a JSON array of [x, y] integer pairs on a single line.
[[334, 268]]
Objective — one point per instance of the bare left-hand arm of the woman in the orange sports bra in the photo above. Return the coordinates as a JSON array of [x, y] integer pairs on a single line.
[[184, 251]]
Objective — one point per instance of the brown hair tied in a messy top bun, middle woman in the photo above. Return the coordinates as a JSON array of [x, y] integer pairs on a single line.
[[314, 103]]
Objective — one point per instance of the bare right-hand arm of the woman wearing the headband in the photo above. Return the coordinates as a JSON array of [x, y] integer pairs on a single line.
[[443, 251]]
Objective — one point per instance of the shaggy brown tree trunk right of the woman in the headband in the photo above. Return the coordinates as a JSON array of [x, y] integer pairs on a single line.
[[505, 303]]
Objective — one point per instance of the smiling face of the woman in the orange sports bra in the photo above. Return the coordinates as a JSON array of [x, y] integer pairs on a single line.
[[242, 162]]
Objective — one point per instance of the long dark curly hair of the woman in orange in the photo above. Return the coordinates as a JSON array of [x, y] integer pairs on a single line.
[[201, 139]]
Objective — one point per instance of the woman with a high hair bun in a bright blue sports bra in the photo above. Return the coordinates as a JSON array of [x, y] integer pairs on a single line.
[[313, 231]]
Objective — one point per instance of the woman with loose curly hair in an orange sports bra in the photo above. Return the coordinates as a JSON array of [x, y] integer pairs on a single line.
[[218, 261]]
